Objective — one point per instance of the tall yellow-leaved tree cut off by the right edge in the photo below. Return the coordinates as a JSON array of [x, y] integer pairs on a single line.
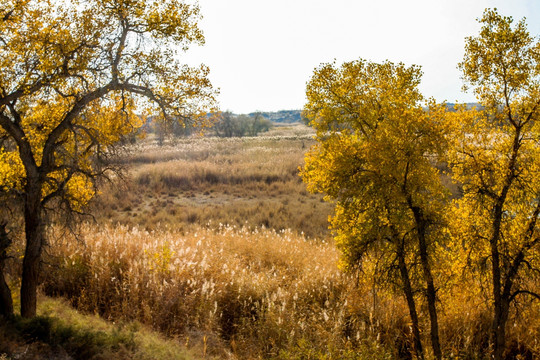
[[496, 157]]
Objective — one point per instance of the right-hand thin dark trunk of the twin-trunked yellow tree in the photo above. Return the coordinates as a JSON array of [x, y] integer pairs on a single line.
[[431, 294]]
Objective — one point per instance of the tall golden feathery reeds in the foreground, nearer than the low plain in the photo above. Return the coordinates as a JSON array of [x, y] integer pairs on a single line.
[[260, 294]]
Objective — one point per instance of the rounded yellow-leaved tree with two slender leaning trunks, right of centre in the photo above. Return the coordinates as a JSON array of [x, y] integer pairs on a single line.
[[374, 159]]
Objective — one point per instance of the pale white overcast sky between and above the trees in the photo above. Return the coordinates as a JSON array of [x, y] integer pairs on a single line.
[[261, 53]]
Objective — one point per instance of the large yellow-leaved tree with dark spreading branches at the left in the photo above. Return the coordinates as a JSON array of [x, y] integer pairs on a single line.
[[72, 79]]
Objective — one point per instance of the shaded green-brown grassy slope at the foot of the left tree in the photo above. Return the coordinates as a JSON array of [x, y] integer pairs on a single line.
[[61, 332]]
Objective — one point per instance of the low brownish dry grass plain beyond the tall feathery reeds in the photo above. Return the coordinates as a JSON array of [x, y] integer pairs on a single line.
[[195, 182]]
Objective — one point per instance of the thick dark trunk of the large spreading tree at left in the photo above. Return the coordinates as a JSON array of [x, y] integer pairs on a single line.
[[34, 227]]
